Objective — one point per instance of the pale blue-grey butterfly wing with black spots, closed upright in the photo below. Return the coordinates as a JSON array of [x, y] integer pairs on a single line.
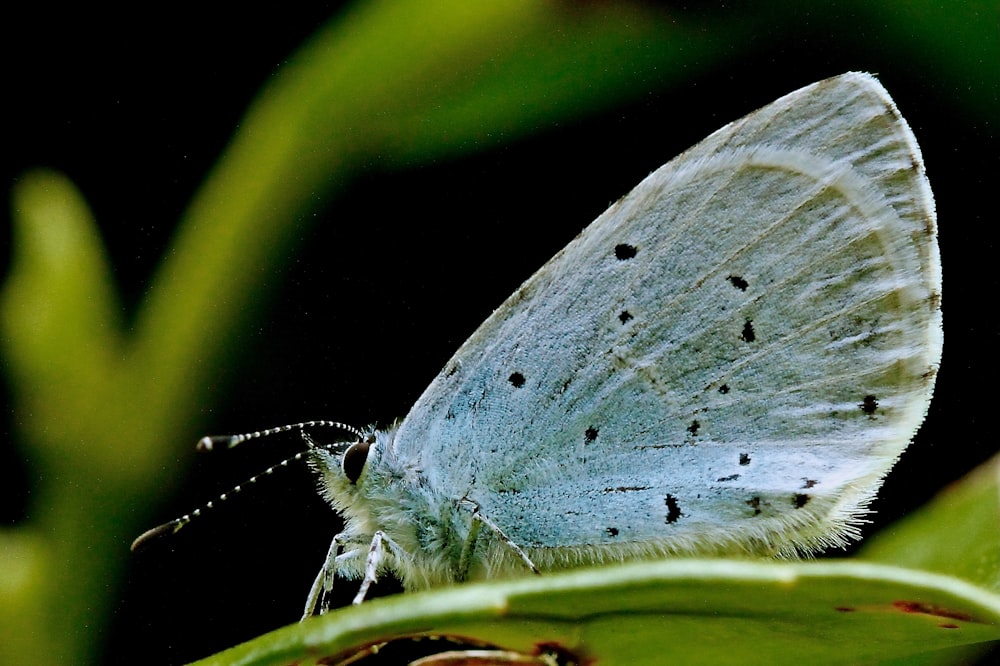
[[729, 359]]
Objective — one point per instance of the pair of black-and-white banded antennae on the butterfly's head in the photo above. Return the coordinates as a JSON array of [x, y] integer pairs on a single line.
[[229, 441]]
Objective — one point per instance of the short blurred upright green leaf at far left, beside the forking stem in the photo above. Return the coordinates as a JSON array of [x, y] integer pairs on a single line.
[[60, 311]]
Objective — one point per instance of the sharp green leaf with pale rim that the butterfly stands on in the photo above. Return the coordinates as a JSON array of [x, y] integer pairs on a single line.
[[682, 611]]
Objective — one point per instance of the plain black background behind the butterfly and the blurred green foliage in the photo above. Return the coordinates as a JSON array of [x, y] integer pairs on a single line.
[[135, 107]]
